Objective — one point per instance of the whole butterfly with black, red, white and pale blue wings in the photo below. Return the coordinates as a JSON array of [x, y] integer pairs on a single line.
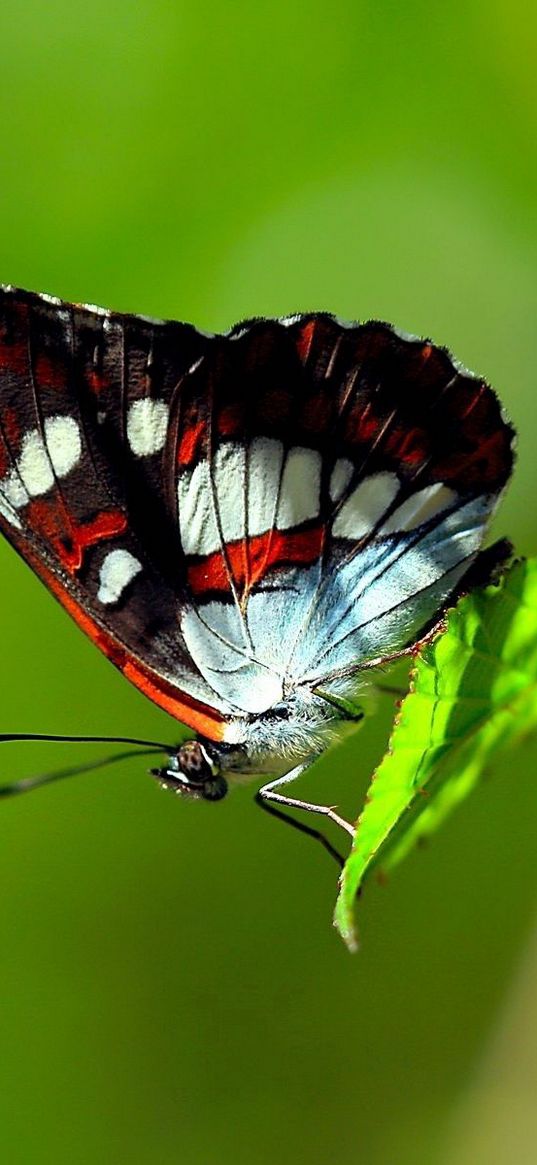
[[244, 524]]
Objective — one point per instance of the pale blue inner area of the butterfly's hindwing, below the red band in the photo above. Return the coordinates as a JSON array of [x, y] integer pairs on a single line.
[[337, 617]]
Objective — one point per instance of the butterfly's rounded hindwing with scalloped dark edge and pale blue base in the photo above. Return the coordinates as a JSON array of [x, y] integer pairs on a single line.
[[336, 495]]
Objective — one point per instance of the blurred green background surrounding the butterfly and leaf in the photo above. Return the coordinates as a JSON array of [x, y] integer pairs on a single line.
[[171, 987]]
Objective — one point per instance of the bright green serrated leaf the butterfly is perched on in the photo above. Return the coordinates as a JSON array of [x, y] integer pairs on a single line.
[[474, 691]]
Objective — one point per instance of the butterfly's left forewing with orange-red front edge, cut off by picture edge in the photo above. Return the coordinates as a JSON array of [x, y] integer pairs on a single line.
[[84, 405]]
